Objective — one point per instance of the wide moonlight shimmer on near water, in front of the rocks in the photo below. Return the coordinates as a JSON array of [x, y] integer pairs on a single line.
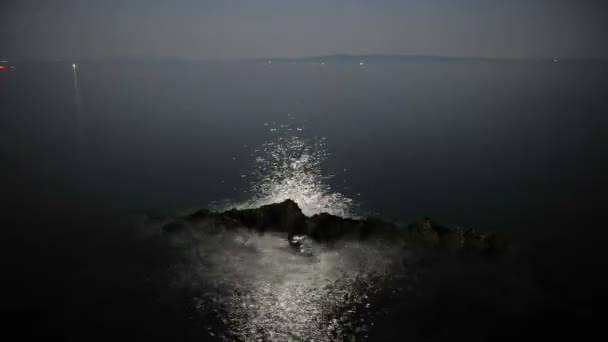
[[259, 288]]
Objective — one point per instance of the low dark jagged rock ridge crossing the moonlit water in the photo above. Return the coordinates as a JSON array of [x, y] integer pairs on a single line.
[[286, 217]]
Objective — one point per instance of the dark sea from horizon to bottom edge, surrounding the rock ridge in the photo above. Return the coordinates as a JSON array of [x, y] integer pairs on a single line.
[[513, 147]]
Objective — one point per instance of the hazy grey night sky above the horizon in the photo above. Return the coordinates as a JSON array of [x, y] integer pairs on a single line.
[[225, 29]]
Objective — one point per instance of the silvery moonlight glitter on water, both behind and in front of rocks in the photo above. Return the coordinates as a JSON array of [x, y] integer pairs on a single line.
[[259, 288]]
